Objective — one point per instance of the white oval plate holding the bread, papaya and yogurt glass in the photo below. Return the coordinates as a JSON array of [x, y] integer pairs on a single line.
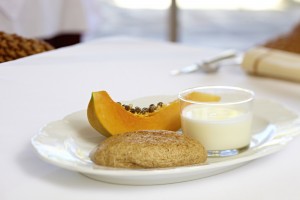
[[67, 143]]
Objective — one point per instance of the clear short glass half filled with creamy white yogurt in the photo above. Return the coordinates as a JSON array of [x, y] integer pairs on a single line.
[[219, 117]]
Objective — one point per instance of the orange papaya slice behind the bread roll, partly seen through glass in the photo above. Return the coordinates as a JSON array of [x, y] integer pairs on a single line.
[[110, 118]]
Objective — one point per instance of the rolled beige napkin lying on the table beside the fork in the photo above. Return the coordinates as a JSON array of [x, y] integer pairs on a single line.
[[273, 63]]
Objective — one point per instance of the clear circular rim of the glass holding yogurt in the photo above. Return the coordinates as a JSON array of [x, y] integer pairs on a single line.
[[250, 92]]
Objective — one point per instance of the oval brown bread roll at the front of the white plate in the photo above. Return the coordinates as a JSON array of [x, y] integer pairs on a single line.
[[149, 149]]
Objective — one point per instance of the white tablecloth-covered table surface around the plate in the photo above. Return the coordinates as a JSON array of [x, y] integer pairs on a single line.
[[46, 87]]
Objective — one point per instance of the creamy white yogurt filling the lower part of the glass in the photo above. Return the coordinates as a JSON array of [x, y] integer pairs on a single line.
[[217, 127]]
